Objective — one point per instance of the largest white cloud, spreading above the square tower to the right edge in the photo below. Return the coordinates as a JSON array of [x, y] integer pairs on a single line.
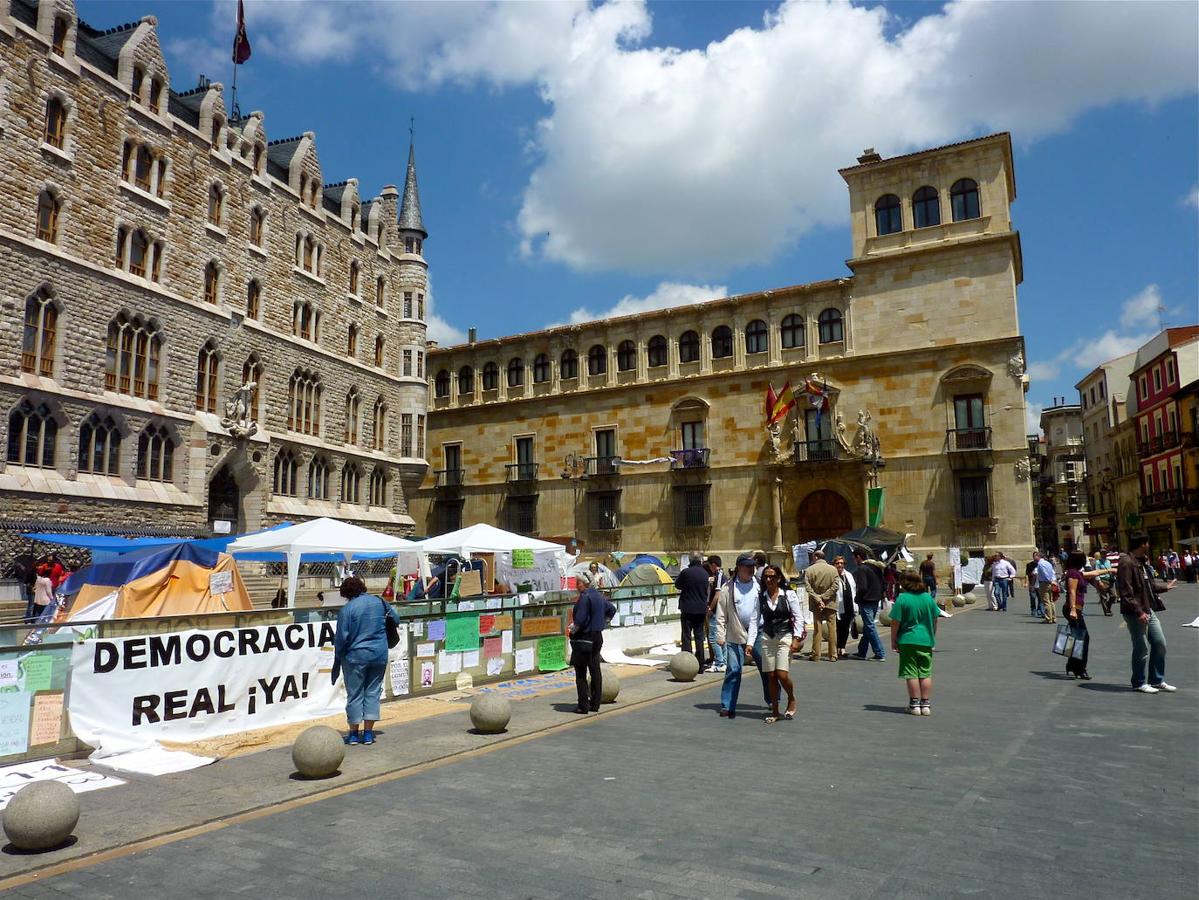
[[695, 162]]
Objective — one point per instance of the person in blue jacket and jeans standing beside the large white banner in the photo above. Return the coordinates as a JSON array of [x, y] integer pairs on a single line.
[[360, 654]]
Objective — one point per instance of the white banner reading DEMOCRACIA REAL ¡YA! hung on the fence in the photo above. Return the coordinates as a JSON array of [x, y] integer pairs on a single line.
[[129, 693]]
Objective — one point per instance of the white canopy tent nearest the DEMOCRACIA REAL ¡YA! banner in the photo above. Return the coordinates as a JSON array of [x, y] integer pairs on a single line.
[[326, 537]]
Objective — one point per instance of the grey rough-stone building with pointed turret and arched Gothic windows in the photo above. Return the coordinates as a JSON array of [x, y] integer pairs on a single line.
[[200, 333]]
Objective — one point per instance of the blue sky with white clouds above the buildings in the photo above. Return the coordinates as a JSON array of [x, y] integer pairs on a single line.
[[586, 160]]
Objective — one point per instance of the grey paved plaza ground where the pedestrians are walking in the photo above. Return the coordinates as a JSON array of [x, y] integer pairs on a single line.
[[1022, 784]]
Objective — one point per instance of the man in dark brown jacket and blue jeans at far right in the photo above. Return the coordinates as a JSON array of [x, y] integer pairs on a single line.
[[1140, 606]]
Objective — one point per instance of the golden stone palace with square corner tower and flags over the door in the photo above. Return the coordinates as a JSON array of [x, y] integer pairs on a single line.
[[648, 432]]
